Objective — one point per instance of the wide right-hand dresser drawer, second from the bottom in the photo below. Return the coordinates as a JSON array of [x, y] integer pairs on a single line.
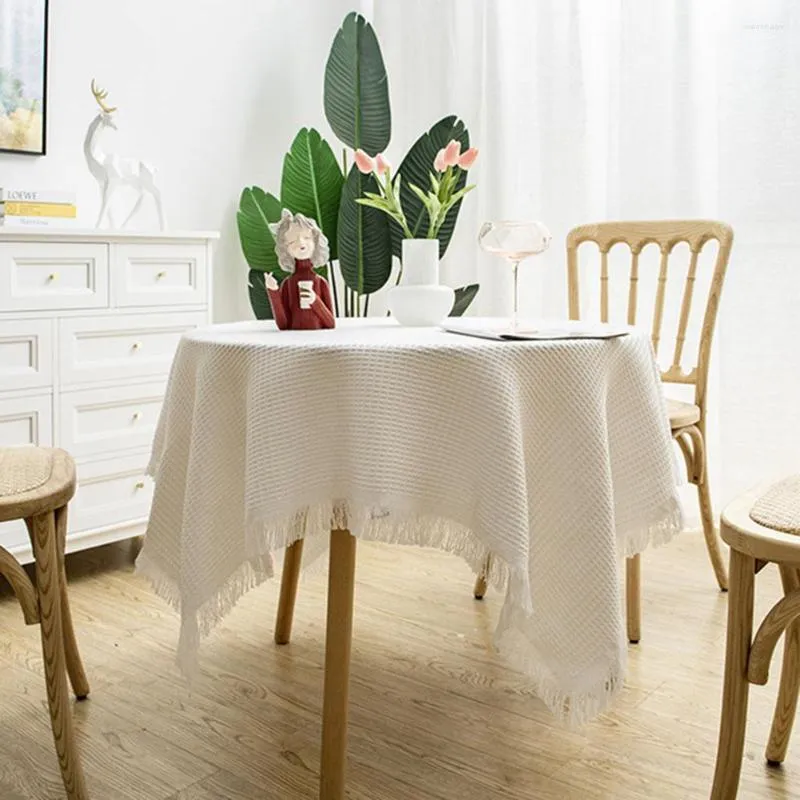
[[95, 421]]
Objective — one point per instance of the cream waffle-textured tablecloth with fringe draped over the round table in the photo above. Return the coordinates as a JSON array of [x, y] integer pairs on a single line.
[[555, 457]]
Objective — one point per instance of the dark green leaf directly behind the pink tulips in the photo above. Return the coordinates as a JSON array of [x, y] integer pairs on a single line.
[[416, 169]]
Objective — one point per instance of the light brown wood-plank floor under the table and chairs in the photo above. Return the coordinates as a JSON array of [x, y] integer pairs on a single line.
[[433, 714]]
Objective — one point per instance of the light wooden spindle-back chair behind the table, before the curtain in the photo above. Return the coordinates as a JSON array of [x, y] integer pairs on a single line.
[[687, 420]]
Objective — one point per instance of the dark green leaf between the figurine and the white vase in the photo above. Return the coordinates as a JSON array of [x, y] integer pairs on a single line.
[[365, 246]]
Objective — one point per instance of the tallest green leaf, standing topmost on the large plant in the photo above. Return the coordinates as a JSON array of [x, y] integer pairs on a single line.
[[356, 93]]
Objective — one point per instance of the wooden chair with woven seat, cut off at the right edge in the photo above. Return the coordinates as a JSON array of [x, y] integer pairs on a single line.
[[761, 528]]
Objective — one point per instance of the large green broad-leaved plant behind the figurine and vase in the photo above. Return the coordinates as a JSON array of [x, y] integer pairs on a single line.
[[362, 239]]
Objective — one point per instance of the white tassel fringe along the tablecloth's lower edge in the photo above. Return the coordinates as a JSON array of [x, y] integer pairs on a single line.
[[573, 707]]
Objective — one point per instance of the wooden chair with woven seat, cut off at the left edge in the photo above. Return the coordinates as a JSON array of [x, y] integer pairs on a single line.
[[35, 485]]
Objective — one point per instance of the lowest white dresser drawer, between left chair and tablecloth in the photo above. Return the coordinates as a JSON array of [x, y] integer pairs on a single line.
[[110, 491]]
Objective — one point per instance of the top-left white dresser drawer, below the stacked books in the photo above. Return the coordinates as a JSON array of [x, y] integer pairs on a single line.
[[52, 275]]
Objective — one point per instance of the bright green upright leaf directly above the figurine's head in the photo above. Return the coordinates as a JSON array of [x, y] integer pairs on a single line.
[[312, 182]]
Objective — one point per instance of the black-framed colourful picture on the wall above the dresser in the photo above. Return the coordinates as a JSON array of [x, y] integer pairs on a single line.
[[23, 76]]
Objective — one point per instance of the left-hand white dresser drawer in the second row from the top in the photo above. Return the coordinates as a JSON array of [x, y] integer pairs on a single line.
[[26, 354]]
